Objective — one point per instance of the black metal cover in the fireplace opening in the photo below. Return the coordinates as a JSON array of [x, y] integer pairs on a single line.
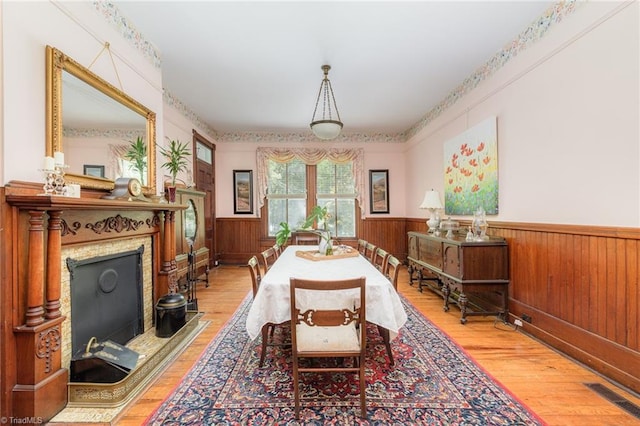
[[106, 298]]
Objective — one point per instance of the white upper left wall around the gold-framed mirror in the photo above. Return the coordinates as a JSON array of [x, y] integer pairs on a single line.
[[79, 31]]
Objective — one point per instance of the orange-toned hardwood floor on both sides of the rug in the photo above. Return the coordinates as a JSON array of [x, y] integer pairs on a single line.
[[547, 382]]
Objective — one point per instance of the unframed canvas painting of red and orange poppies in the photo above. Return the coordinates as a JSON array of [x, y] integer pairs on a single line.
[[471, 170]]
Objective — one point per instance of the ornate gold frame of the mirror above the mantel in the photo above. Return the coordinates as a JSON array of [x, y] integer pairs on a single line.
[[56, 63]]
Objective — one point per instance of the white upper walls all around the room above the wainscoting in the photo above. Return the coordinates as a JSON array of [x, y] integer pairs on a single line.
[[567, 107]]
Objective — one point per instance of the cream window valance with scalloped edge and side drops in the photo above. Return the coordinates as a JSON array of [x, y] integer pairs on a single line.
[[310, 156]]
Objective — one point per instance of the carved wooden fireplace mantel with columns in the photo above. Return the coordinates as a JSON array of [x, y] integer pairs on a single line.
[[40, 226]]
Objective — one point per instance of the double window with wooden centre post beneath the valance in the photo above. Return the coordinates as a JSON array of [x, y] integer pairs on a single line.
[[290, 189]]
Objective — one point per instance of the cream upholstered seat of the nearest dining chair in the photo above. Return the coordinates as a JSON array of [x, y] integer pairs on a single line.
[[328, 339]]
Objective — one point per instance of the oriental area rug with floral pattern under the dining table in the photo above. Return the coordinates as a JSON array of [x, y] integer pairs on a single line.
[[433, 382]]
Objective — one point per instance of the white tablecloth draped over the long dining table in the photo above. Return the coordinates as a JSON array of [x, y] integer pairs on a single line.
[[272, 303]]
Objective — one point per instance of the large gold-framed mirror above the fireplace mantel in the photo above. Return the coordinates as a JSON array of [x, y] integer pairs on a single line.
[[94, 123]]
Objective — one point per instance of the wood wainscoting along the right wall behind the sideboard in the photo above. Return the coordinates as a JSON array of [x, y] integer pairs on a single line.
[[579, 287]]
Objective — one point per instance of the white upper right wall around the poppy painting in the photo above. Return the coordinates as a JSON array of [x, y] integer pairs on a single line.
[[568, 125]]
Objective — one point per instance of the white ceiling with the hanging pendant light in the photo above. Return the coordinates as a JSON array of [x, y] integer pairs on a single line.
[[255, 66]]
